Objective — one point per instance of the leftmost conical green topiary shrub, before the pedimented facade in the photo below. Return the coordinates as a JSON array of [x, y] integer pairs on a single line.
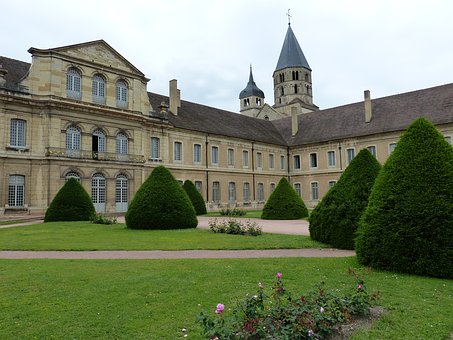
[[71, 203]]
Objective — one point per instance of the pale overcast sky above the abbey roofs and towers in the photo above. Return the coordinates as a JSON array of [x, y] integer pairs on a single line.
[[386, 46]]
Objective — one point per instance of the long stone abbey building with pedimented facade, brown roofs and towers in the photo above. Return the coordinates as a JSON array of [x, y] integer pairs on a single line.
[[84, 111]]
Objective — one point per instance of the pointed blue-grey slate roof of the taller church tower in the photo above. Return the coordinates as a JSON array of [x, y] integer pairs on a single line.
[[291, 54]]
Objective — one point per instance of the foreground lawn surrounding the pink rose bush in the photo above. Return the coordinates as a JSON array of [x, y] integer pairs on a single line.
[[155, 299]]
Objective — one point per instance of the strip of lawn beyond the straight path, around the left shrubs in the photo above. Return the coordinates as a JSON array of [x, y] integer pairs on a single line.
[[88, 236]]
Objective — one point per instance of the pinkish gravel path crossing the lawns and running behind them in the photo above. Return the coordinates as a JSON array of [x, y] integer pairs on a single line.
[[294, 227]]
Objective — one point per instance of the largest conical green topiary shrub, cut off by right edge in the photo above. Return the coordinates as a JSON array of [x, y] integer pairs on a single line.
[[408, 223]]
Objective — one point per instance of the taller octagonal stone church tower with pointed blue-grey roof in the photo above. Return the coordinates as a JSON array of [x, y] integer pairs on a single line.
[[292, 78]]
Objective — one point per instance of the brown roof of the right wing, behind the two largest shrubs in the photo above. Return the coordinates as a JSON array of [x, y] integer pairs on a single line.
[[392, 113]]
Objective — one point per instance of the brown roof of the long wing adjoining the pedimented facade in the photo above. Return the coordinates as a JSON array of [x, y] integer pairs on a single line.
[[197, 117]]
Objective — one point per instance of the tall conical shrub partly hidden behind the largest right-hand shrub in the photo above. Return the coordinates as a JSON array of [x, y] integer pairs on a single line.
[[335, 219]]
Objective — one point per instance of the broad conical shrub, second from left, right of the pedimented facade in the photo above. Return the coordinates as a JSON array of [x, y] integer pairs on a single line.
[[161, 203]]
